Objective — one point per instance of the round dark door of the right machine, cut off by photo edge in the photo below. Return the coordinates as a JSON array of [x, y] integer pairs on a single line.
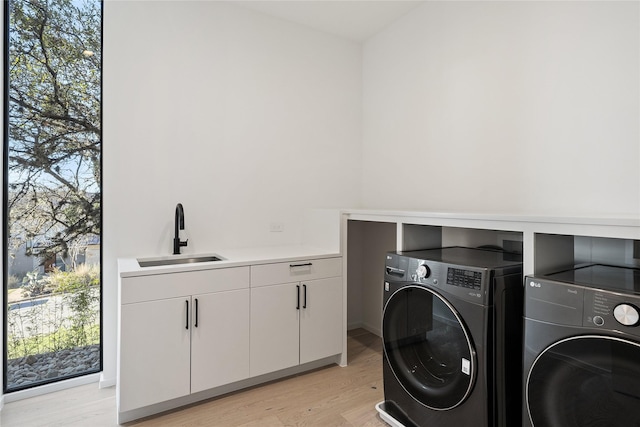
[[588, 380]]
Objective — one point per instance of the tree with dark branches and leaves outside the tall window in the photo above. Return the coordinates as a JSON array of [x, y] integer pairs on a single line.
[[54, 122]]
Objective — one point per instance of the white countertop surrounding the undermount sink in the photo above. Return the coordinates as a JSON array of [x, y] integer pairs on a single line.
[[129, 267]]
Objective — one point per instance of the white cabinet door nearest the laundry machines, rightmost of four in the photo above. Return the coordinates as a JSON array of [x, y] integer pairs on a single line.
[[321, 319]]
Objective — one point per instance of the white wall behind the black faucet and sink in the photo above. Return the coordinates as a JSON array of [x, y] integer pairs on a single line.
[[243, 118]]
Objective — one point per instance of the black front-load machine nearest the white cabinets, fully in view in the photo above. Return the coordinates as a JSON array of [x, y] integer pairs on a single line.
[[452, 333]]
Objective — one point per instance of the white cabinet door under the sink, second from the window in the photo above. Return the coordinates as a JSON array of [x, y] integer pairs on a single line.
[[219, 339]]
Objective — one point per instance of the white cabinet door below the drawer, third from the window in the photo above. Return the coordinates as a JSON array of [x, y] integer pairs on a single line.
[[274, 328]]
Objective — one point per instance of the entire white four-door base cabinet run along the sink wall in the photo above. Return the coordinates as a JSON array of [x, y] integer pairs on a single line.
[[192, 334]]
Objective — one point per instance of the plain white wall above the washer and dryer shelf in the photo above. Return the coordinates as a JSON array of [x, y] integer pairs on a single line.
[[508, 107]]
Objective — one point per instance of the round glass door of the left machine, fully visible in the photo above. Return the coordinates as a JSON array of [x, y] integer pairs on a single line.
[[428, 348]]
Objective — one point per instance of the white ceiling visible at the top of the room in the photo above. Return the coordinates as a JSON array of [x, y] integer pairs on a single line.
[[356, 20]]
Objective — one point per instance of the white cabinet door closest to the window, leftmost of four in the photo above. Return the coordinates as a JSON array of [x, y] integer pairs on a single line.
[[154, 352]]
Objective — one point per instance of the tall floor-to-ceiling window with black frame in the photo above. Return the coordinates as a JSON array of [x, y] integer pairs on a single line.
[[52, 191]]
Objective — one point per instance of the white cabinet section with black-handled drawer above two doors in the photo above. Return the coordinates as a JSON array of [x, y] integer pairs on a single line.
[[296, 313]]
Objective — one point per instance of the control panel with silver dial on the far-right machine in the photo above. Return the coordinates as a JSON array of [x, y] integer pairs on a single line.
[[611, 310]]
